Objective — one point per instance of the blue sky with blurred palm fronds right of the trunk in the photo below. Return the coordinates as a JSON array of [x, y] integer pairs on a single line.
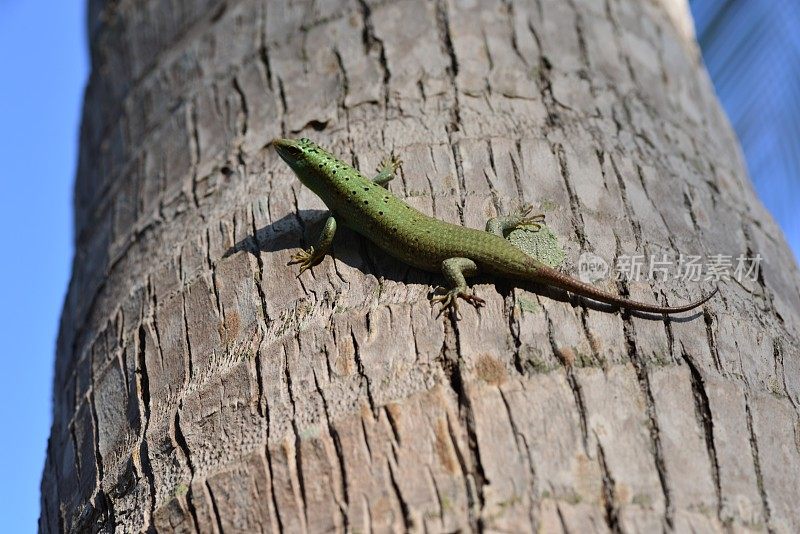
[[752, 51]]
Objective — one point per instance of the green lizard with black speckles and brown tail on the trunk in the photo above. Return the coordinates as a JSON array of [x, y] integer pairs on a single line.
[[367, 207]]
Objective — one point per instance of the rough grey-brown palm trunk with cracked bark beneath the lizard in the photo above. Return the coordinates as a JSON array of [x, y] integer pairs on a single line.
[[201, 387]]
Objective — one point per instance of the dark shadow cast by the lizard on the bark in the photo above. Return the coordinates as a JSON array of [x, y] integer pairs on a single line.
[[299, 230]]
